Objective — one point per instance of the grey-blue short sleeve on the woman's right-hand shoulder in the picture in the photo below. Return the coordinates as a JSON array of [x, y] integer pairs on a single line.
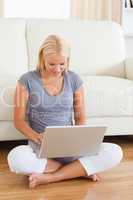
[[76, 81]]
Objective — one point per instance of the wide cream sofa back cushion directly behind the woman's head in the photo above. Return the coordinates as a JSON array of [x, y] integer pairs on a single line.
[[97, 47]]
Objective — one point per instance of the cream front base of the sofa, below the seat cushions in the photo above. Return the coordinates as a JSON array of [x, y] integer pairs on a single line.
[[115, 126]]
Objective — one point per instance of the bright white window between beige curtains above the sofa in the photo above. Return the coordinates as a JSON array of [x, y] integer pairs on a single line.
[[37, 8]]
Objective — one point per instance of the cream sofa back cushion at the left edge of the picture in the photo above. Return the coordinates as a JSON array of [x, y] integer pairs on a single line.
[[13, 48]]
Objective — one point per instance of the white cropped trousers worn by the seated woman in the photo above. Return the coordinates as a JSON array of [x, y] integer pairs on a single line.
[[22, 159]]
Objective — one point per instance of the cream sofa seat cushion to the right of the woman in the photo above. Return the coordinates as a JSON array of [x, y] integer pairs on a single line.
[[108, 96]]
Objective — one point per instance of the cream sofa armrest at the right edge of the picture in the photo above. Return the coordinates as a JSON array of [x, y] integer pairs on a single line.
[[129, 68]]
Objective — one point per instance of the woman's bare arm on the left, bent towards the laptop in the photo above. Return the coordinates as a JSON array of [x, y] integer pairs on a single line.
[[20, 102]]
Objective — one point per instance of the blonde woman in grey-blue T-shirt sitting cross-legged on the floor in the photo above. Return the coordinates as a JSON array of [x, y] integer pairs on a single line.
[[53, 95]]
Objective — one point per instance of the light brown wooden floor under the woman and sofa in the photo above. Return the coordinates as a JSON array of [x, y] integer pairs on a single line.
[[116, 184]]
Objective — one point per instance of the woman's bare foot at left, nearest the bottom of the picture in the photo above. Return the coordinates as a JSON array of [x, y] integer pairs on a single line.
[[38, 179]]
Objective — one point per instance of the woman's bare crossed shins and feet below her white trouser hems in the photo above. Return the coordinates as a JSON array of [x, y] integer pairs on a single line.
[[55, 172]]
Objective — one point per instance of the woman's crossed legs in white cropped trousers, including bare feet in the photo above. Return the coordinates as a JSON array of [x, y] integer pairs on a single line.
[[23, 160]]
